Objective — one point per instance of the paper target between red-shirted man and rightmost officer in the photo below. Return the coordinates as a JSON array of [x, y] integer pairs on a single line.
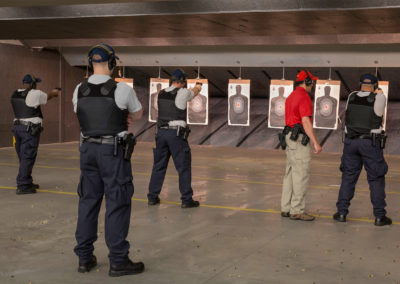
[[326, 106]]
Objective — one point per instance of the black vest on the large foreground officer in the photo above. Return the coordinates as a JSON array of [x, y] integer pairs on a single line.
[[97, 112]]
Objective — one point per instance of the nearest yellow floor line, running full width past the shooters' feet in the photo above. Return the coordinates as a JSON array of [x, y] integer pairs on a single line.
[[206, 206]]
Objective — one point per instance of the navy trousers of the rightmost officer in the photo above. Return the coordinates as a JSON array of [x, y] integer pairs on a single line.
[[356, 153]]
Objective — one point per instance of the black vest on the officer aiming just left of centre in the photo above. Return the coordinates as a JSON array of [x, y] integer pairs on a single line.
[[167, 110]]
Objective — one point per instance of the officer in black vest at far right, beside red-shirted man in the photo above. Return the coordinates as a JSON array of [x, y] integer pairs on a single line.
[[363, 146]]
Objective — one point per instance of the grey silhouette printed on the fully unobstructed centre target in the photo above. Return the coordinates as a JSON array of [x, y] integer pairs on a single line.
[[238, 113]]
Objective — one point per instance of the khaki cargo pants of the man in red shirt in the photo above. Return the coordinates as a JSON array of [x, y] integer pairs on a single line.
[[295, 181]]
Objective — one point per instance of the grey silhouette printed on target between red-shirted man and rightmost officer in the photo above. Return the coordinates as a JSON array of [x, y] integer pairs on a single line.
[[325, 115]]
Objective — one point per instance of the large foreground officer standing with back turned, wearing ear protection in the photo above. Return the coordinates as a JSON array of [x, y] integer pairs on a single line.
[[102, 106]]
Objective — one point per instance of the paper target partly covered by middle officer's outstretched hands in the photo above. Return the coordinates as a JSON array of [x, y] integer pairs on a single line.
[[198, 108]]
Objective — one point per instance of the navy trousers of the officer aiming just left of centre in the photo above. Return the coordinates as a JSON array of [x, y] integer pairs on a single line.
[[167, 144]]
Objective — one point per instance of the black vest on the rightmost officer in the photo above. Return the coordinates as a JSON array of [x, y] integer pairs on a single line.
[[360, 115]]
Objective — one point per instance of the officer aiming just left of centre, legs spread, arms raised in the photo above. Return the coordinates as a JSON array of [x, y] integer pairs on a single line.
[[171, 139]]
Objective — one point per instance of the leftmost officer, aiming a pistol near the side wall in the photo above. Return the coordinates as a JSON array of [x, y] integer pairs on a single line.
[[28, 115]]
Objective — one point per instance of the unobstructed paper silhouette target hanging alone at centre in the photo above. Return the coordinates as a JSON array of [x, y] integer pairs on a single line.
[[239, 102]]
